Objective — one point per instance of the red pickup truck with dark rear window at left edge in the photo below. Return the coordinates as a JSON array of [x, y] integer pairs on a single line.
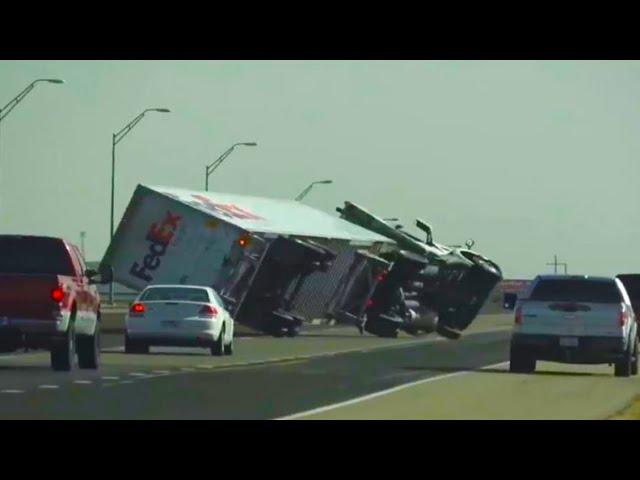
[[48, 300]]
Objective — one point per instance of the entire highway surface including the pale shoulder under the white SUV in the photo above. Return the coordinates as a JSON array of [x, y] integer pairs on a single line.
[[329, 373]]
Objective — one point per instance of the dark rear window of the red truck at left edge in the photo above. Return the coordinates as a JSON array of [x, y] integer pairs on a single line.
[[33, 255]]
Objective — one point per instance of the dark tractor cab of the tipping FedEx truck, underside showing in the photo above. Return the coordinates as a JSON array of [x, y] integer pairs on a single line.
[[424, 286]]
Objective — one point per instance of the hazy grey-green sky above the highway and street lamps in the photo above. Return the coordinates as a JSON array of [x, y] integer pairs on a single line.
[[528, 158]]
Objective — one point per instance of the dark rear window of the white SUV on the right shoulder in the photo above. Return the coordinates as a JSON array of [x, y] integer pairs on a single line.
[[593, 291]]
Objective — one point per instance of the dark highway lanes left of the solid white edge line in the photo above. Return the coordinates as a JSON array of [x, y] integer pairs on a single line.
[[266, 378]]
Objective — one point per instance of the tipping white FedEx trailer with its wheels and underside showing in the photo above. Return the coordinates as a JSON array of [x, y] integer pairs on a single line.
[[275, 262]]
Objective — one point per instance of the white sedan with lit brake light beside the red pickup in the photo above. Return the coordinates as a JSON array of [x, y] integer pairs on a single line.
[[178, 315]]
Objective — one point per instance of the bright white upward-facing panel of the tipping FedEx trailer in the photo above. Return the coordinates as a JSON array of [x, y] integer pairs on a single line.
[[270, 215]]
